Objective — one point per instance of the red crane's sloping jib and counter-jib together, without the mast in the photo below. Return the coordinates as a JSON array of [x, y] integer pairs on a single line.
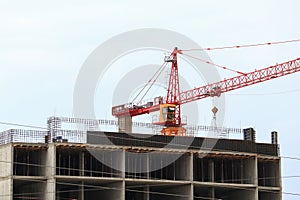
[[211, 90]]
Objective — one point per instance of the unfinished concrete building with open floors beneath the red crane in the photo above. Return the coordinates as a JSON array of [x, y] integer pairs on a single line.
[[68, 164]]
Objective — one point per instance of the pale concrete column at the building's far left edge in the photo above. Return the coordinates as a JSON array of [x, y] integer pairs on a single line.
[[6, 172]]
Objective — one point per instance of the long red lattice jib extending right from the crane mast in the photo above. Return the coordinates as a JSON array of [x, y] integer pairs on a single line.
[[257, 76]]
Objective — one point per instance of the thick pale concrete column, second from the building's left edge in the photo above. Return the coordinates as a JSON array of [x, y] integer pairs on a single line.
[[50, 171]]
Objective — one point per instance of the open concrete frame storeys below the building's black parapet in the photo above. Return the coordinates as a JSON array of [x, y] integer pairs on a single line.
[[71, 171]]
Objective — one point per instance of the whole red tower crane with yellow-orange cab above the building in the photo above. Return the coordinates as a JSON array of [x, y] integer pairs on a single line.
[[170, 106]]
